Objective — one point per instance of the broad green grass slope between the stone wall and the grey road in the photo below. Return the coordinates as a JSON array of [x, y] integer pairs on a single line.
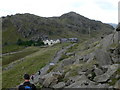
[[30, 65]]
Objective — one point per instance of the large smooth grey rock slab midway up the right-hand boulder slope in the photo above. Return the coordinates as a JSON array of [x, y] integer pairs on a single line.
[[103, 58]]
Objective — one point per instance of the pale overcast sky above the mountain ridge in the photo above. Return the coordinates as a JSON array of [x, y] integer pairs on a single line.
[[102, 10]]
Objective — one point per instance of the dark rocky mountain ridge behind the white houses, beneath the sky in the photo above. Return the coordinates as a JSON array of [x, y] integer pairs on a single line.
[[28, 26]]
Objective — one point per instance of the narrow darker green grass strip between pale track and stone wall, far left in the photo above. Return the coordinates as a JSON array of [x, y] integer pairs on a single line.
[[13, 57]]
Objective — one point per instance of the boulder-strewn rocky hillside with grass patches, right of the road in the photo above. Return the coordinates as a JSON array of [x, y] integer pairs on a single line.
[[91, 64]]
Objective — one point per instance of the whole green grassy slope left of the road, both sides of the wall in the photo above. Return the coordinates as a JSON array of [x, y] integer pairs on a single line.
[[31, 63]]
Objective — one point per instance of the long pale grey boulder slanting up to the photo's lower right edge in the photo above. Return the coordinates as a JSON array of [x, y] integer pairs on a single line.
[[106, 76]]
